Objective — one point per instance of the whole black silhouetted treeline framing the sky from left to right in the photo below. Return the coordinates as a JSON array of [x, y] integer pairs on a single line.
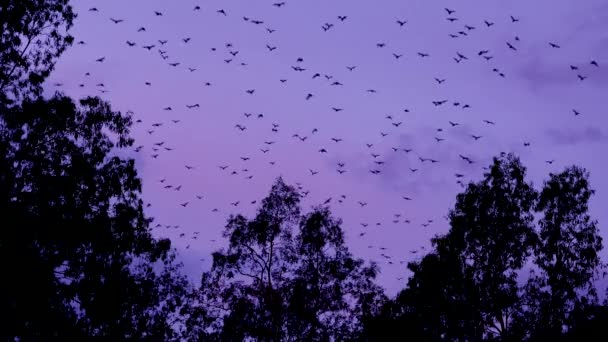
[[79, 261]]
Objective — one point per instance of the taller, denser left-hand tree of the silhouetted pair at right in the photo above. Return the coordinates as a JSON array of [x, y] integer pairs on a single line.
[[466, 289]]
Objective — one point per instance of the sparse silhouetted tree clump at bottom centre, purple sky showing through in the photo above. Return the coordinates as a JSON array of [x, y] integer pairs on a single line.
[[286, 276]]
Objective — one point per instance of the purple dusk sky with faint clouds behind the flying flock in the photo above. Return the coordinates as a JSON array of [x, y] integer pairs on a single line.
[[529, 94]]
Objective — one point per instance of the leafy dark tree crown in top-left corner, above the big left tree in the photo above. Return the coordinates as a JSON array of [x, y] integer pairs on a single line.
[[34, 33]]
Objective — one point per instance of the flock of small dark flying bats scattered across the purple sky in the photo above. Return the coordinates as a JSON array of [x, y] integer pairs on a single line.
[[231, 55]]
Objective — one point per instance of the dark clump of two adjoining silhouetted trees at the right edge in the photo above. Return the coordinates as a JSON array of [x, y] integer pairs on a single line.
[[467, 289]]
